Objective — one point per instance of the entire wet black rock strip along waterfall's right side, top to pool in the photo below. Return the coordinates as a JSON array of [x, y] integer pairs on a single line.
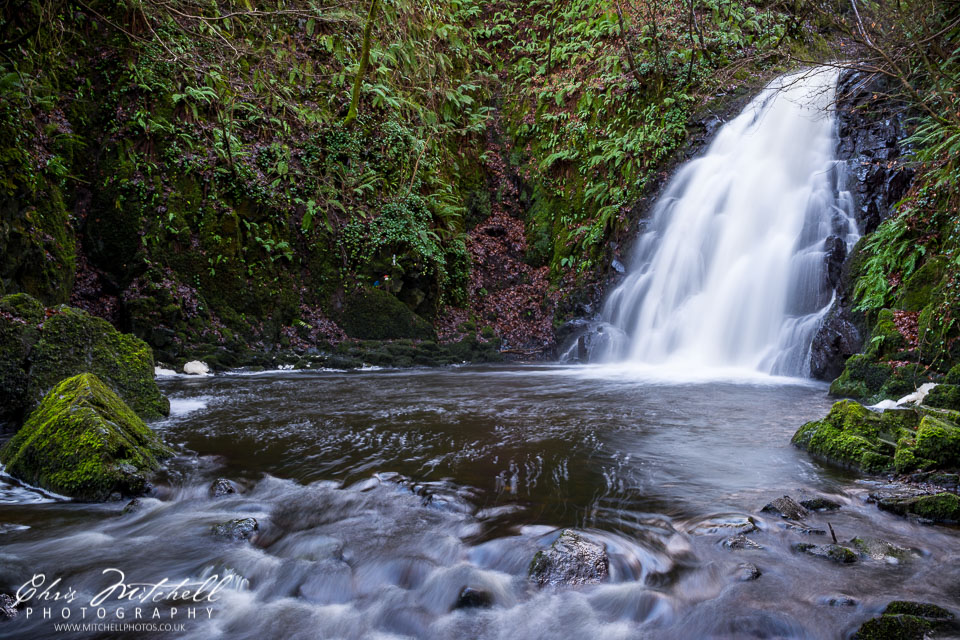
[[871, 137]]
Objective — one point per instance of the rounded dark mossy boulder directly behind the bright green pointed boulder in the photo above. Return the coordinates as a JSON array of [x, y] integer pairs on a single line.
[[74, 342]]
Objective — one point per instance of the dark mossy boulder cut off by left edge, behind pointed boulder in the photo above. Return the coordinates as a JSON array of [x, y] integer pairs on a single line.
[[20, 320]]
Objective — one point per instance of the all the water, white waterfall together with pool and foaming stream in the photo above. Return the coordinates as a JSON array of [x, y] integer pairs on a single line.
[[380, 495]]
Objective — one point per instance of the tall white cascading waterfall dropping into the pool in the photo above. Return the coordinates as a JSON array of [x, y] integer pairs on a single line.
[[730, 271]]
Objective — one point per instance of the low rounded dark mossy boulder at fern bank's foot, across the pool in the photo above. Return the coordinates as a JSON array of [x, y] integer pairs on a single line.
[[374, 314]]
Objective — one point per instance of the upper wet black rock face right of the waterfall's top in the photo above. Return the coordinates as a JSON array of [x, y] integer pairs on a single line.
[[870, 134]]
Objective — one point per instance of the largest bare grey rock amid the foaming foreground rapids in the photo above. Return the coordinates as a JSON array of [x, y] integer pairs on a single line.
[[570, 560]]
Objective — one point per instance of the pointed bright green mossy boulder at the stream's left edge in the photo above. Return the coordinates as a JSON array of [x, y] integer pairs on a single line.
[[84, 442]]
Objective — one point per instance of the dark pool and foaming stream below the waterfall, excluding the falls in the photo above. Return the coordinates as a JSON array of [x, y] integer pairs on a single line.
[[381, 494]]
